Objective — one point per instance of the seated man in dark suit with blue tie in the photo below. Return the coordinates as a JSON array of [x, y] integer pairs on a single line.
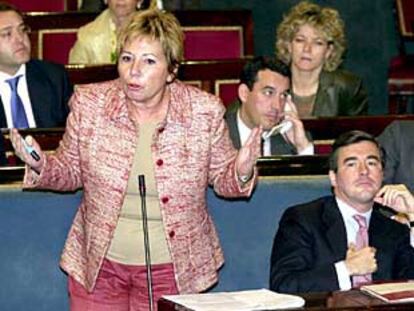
[[33, 93]]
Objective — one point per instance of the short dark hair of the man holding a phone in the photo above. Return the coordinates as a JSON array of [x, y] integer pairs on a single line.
[[249, 73]]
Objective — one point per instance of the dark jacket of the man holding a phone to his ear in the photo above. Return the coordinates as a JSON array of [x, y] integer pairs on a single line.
[[278, 144]]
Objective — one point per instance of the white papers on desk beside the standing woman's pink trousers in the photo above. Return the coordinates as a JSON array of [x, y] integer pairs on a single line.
[[248, 300]]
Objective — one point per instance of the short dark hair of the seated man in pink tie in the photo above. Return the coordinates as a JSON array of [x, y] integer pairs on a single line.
[[350, 138]]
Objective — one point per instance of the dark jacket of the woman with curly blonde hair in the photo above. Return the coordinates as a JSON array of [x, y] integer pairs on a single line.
[[340, 93]]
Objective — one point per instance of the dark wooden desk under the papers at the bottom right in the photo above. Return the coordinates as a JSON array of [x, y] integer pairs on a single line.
[[350, 300]]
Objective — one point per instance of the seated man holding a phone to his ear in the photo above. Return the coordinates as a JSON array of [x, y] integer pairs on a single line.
[[264, 101]]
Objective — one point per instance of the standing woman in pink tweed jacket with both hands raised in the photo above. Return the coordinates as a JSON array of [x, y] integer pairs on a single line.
[[148, 123]]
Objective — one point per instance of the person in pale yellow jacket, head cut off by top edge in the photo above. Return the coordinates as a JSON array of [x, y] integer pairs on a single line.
[[97, 41]]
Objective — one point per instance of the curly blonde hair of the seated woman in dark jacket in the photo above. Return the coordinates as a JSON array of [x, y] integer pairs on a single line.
[[325, 20]]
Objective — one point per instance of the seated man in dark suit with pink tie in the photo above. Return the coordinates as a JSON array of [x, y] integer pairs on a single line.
[[341, 241]]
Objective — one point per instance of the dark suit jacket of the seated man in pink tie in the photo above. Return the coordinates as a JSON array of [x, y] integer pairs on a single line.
[[312, 237]]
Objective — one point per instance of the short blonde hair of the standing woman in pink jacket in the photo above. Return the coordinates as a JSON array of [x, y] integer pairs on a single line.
[[157, 25]]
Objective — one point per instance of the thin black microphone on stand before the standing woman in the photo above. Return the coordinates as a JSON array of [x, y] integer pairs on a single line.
[[142, 193]]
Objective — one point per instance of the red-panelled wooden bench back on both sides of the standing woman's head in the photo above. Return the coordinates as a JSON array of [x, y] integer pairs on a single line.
[[208, 34]]
